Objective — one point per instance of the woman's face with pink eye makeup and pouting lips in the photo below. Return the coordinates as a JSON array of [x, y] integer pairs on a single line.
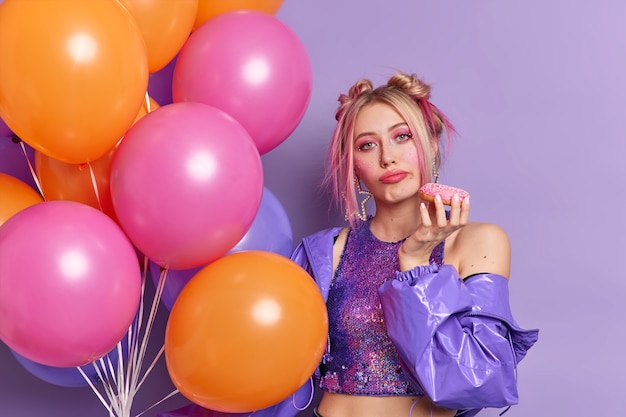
[[385, 154]]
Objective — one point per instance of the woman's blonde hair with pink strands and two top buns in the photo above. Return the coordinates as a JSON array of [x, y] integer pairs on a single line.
[[409, 96]]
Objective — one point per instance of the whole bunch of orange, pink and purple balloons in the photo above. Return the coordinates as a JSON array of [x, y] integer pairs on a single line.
[[96, 175]]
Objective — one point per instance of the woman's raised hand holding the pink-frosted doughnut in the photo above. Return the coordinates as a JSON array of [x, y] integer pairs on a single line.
[[433, 229]]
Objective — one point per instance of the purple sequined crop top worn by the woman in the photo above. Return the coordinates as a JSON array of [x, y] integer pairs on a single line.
[[362, 358]]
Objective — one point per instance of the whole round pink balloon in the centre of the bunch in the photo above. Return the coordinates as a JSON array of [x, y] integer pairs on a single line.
[[186, 183]]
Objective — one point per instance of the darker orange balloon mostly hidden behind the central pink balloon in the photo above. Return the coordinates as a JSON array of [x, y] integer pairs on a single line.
[[62, 181]]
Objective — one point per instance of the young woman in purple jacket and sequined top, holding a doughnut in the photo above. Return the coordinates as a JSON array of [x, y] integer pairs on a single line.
[[417, 295]]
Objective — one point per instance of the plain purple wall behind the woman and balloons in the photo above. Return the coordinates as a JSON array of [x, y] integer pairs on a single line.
[[536, 90]]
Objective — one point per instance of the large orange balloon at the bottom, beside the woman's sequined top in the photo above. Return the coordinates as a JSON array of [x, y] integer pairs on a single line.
[[246, 332]]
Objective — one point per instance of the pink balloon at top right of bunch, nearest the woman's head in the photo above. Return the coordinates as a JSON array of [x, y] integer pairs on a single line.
[[252, 66]]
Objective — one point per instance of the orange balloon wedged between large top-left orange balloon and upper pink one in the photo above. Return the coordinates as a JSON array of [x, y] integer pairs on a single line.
[[165, 25]]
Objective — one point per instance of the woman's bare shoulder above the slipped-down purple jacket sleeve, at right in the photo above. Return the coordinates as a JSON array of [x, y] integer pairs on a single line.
[[482, 247]]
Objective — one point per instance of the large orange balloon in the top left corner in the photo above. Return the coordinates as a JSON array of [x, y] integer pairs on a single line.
[[73, 75]]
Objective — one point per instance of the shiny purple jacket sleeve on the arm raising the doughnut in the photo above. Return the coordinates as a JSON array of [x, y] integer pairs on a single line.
[[457, 339]]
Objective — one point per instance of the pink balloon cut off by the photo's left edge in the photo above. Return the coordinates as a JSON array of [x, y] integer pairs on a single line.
[[70, 283]]
